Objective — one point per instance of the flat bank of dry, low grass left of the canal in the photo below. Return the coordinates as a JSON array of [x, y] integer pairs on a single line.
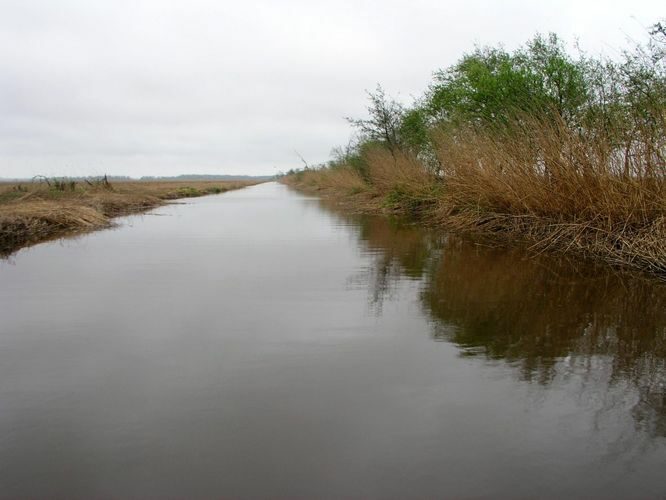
[[47, 208]]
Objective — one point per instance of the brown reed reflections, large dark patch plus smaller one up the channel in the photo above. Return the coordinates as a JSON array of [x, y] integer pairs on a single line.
[[517, 306]]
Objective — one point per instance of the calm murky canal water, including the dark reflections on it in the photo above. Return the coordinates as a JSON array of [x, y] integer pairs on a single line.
[[259, 345]]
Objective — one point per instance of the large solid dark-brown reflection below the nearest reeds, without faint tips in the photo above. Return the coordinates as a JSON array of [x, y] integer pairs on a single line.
[[539, 309]]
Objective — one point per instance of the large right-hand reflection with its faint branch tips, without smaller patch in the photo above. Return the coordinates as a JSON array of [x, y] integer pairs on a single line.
[[551, 318]]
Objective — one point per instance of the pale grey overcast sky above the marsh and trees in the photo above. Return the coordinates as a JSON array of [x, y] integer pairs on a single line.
[[165, 87]]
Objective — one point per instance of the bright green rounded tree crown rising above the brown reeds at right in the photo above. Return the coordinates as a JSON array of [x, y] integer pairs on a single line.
[[493, 88]]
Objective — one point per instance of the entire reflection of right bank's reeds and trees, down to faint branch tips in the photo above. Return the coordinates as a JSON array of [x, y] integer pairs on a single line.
[[597, 333]]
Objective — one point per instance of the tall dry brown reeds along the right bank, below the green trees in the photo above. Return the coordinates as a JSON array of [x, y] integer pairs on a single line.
[[544, 182]]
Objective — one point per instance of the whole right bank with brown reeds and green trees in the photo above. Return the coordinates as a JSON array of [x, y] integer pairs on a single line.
[[566, 153]]
